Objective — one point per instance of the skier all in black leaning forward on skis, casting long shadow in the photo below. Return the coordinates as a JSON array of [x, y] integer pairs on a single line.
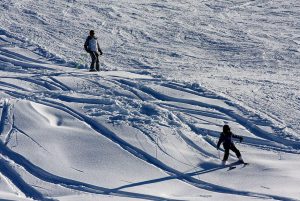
[[226, 138]]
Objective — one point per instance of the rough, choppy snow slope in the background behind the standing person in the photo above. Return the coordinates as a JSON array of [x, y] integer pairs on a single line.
[[247, 51]]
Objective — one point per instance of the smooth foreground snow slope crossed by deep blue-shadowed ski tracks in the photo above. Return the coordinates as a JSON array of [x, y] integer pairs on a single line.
[[67, 134]]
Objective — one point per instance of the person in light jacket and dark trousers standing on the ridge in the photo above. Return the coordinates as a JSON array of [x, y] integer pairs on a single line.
[[92, 46]]
